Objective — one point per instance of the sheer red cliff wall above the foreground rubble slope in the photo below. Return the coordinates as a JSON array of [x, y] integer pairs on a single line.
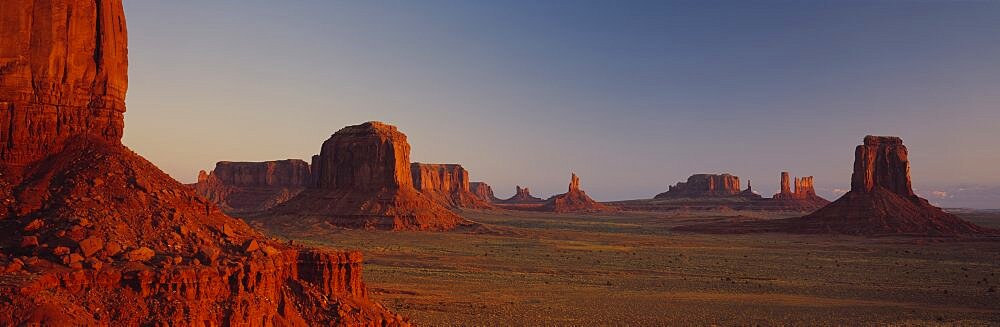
[[63, 73]]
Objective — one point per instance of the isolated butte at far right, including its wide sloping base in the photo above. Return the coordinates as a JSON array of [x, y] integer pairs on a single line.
[[881, 200]]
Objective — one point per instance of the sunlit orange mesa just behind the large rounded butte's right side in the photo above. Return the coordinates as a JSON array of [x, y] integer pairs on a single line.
[[448, 184]]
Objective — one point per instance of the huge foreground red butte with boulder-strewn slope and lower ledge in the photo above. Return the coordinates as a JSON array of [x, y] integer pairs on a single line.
[[96, 235]]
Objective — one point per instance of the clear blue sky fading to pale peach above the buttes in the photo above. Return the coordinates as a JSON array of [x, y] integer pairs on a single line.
[[633, 96]]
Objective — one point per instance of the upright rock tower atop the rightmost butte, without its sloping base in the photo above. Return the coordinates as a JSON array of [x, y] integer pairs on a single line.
[[881, 162]]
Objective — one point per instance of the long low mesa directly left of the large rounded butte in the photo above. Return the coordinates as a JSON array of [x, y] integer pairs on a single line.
[[246, 187]]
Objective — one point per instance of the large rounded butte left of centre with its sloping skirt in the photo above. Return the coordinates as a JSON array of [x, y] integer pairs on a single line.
[[364, 180]]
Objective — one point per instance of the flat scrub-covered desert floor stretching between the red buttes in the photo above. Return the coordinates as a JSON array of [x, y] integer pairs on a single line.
[[630, 269]]
